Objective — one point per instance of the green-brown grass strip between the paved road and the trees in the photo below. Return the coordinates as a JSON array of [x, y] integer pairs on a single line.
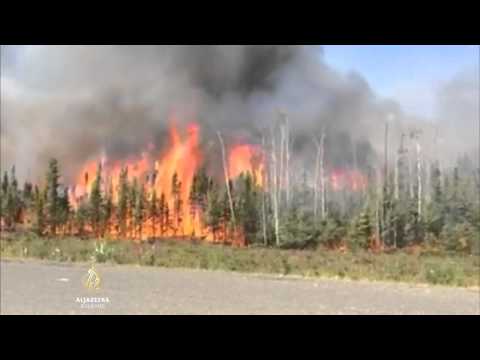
[[423, 266]]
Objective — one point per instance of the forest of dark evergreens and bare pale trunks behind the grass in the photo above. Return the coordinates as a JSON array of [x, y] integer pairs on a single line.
[[406, 201]]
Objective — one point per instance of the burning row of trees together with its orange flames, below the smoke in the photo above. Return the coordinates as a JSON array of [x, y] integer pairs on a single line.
[[251, 196]]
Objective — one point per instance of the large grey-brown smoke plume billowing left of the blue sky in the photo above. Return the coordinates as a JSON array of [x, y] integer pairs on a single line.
[[78, 102]]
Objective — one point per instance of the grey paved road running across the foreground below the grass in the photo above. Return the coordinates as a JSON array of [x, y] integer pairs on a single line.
[[39, 288]]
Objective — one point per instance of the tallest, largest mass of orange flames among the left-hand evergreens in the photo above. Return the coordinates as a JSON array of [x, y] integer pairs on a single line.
[[181, 157]]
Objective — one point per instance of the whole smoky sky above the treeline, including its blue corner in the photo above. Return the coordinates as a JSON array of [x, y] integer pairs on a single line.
[[119, 97]]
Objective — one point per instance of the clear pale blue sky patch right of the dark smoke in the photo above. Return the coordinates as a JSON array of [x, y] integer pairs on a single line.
[[410, 74]]
